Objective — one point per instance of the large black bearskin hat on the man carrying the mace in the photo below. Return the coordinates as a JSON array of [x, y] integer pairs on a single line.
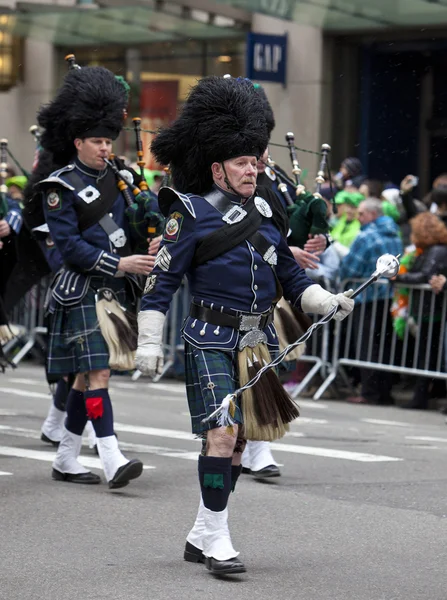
[[222, 118]]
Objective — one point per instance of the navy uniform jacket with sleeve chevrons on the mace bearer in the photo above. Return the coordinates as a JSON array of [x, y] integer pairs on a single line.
[[240, 279]]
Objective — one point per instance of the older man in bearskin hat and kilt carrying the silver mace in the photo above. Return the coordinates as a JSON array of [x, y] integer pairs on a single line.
[[227, 236]]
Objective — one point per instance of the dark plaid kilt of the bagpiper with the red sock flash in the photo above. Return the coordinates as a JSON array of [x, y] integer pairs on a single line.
[[75, 342]]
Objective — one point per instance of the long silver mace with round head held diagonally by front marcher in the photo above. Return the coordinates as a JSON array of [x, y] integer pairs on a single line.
[[387, 266]]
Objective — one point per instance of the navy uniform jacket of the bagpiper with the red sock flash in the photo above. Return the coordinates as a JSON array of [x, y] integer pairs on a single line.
[[84, 253]]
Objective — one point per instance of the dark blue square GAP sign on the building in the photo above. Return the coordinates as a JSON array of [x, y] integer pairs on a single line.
[[267, 57]]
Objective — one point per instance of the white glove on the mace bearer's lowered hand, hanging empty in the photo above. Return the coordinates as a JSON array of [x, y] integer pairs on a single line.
[[149, 358]]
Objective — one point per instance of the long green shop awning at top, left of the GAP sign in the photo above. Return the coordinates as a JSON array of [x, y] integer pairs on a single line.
[[146, 22]]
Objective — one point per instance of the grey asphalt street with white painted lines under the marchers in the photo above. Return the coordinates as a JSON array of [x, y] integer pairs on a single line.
[[359, 512]]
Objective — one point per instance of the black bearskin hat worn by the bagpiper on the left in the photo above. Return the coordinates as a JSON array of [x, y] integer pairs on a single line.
[[90, 103]]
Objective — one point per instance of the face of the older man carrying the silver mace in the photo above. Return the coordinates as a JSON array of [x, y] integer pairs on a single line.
[[241, 173]]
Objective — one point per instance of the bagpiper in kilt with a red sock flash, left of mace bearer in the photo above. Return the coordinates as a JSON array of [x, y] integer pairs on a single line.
[[97, 287]]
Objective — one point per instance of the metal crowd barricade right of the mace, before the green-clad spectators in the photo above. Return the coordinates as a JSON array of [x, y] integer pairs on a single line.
[[419, 350]]
